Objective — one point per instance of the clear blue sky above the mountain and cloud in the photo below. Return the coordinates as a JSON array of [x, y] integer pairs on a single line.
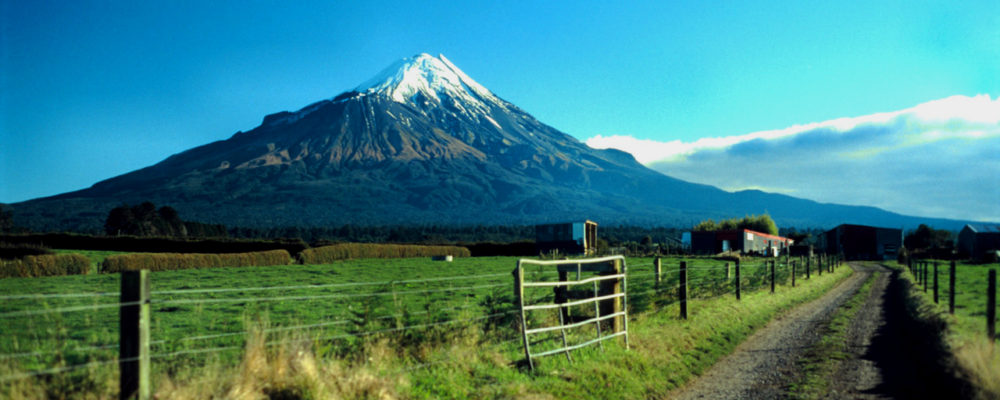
[[90, 90]]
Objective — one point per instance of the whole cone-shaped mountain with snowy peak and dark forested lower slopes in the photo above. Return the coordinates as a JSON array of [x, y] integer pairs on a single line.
[[422, 143]]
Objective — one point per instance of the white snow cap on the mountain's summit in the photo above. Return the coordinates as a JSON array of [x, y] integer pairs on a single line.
[[427, 75]]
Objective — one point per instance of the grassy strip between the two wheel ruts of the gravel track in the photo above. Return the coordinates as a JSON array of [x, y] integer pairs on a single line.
[[822, 359]]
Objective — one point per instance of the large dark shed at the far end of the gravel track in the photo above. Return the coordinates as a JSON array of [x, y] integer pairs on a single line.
[[860, 242]]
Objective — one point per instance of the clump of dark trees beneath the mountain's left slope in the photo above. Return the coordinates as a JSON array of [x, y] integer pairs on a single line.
[[146, 220]]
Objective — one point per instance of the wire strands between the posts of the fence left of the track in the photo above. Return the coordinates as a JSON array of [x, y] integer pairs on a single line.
[[199, 321]]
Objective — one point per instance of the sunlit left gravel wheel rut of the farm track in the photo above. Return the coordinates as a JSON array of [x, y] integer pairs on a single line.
[[760, 367]]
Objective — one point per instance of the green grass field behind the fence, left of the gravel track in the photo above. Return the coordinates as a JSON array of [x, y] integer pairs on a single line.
[[200, 317]]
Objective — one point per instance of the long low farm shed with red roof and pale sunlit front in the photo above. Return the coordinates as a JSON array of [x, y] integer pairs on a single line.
[[742, 240]]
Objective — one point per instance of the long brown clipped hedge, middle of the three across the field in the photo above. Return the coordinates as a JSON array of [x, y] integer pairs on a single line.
[[173, 261]]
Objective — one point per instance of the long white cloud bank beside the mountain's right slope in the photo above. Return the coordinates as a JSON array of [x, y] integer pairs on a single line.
[[937, 159]]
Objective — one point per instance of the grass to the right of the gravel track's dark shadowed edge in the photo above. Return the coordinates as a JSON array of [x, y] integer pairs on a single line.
[[964, 331]]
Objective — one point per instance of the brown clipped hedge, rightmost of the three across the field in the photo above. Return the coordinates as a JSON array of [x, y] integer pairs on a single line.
[[344, 251]]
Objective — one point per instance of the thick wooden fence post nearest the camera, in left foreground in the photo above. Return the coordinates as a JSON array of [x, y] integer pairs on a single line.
[[133, 341]]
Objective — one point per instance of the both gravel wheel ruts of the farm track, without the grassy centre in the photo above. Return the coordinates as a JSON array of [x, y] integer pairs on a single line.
[[882, 361]]
